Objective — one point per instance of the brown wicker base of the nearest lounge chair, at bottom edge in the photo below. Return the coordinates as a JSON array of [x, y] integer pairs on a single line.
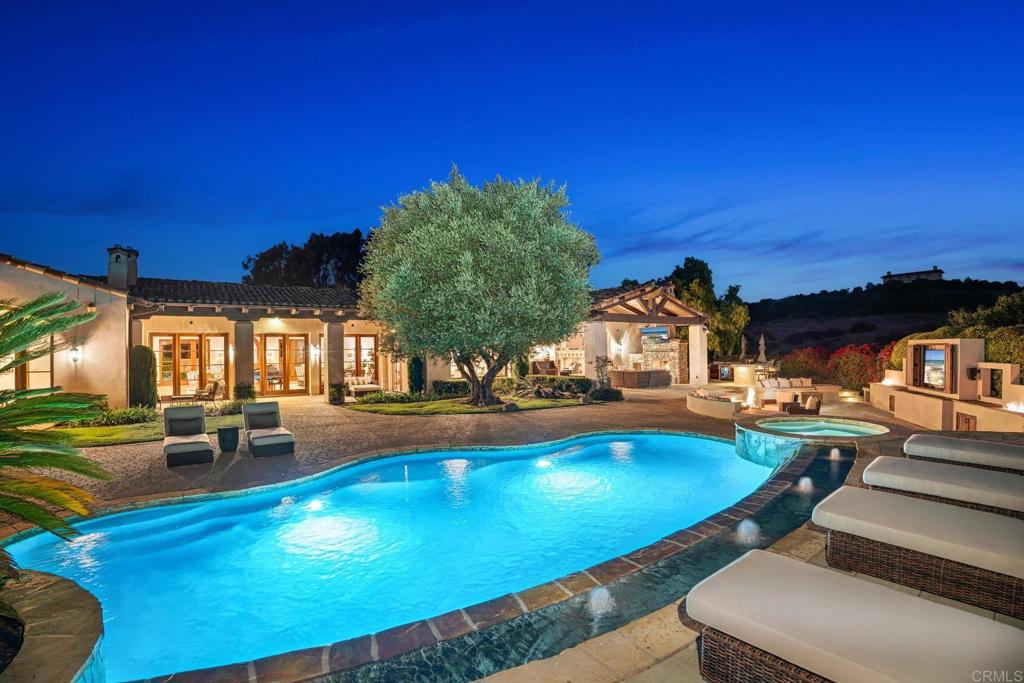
[[728, 660]]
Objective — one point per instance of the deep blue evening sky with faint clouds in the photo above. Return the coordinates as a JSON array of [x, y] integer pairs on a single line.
[[796, 147]]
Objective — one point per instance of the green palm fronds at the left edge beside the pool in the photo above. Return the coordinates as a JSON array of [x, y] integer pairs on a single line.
[[26, 449]]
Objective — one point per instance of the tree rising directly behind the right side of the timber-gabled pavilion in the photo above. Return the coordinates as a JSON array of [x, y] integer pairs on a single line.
[[728, 316]]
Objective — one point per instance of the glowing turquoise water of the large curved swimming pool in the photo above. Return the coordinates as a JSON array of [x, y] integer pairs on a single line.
[[372, 546]]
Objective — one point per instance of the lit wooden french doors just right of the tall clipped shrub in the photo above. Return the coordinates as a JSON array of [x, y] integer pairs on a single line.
[[187, 364]]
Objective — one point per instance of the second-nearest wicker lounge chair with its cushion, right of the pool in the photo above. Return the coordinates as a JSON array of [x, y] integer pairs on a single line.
[[967, 556]]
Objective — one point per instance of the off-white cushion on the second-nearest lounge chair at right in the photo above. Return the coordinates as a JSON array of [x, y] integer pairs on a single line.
[[984, 540]]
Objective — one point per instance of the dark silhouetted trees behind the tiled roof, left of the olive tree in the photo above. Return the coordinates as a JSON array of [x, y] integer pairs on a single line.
[[325, 261]]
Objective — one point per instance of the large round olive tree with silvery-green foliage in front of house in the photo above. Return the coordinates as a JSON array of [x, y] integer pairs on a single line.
[[478, 275]]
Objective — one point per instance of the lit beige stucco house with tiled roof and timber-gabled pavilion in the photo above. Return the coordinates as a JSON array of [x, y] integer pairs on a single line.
[[296, 340]]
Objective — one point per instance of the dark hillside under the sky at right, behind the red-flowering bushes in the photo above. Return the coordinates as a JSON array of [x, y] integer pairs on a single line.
[[876, 315]]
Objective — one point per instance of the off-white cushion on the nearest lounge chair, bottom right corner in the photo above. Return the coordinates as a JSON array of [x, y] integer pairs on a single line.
[[847, 629]]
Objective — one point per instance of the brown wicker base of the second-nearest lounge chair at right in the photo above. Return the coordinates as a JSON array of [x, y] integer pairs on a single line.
[[949, 579]]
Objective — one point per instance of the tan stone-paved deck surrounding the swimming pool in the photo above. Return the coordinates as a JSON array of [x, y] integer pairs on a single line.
[[657, 648]]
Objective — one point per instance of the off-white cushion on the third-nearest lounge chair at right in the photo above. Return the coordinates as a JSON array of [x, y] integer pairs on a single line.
[[971, 485]]
